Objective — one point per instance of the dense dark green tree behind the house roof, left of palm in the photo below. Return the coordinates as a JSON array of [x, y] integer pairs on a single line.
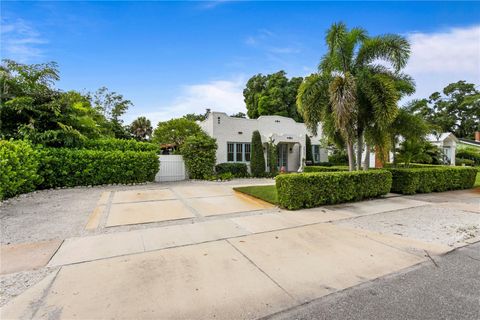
[[272, 94]]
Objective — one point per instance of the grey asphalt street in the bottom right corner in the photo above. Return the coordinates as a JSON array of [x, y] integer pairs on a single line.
[[446, 288]]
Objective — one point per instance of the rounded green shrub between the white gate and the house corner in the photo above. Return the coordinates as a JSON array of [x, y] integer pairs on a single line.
[[199, 155]]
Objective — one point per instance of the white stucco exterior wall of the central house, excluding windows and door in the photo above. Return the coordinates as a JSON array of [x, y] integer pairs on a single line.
[[283, 130]]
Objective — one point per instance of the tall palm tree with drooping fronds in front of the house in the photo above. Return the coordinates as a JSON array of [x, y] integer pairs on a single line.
[[356, 90]]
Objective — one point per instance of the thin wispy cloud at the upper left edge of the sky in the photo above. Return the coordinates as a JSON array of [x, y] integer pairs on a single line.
[[20, 41]]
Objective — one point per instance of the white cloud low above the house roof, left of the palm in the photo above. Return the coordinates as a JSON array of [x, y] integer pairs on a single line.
[[219, 95]]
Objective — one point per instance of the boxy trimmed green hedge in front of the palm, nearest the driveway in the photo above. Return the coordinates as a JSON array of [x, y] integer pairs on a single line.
[[308, 190]]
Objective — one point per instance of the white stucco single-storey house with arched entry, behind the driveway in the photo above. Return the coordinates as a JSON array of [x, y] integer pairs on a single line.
[[234, 136]]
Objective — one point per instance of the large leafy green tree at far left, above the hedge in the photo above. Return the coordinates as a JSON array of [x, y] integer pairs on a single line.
[[31, 107]]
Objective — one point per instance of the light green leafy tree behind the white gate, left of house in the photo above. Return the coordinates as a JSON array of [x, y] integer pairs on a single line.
[[175, 131]]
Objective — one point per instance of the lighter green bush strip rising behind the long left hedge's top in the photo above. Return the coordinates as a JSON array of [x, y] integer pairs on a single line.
[[119, 145]]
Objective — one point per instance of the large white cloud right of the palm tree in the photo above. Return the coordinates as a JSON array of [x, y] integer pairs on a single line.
[[441, 58]]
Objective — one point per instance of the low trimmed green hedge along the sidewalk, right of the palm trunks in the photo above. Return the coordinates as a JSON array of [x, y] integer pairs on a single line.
[[432, 179]]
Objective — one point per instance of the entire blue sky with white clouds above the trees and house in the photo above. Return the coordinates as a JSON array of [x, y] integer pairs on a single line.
[[171, 58]]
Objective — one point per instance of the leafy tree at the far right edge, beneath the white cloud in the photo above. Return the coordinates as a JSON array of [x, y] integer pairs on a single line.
[[456, 109]]
